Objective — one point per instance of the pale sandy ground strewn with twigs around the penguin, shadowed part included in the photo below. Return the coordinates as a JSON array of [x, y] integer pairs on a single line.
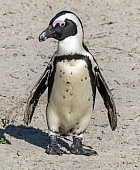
[[112, 33]]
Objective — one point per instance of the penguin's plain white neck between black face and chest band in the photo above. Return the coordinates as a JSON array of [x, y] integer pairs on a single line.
[[69, 46]]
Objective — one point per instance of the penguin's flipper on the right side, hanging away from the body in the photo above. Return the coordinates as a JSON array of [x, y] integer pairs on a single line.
[[107, 97]]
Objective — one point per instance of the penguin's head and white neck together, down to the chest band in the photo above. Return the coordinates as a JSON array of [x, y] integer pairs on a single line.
[[67, 28]]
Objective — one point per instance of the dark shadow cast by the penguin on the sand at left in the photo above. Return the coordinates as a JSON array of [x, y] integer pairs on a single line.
[[31, 135]]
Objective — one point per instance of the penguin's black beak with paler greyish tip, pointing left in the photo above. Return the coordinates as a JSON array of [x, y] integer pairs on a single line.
[[47, 33]]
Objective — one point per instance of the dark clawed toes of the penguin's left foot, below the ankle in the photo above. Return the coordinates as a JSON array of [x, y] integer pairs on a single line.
[[54, 150]]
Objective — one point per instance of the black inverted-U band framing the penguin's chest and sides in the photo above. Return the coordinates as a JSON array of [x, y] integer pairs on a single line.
[[69, 58]]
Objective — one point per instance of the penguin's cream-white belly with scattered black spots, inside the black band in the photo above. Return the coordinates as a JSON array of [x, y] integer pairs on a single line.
[[71, 97]]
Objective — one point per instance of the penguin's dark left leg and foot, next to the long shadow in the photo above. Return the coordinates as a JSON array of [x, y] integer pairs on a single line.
[[53, 148]]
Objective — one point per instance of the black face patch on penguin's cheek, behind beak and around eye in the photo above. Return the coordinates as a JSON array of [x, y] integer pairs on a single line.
[[68, 29]]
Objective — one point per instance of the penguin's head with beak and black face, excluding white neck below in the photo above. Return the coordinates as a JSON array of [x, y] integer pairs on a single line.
[[62, 26]]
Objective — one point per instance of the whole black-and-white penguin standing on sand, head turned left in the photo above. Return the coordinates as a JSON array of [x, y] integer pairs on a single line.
[[71, 77]]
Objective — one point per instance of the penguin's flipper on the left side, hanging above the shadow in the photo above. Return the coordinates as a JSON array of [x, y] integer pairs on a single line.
[[35, 94]]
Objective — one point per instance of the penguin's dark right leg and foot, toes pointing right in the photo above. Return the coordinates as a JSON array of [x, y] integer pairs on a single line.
[[77, 148]]
